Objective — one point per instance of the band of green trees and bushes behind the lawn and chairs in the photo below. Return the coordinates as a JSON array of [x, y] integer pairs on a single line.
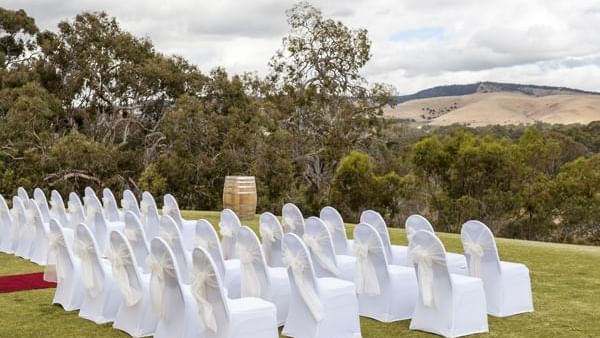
[[92, 105]]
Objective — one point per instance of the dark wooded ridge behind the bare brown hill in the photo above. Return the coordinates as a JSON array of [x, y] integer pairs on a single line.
[[491, 87]]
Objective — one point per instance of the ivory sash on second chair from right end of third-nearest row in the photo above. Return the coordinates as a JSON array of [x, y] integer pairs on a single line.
[[365, 276]]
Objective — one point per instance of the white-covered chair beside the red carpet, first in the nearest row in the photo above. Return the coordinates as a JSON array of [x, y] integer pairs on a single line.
[[63, 268]]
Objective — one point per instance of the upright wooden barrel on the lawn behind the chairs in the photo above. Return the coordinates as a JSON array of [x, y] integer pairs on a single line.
[[239, 195]]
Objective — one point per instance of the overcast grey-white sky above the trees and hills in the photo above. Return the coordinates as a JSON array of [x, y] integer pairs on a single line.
[[415, 43]]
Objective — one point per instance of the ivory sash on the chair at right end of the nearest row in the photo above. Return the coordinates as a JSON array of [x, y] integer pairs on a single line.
[[201, 281]]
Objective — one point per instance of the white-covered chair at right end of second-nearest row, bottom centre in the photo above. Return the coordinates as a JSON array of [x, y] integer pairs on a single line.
[[319, 307]]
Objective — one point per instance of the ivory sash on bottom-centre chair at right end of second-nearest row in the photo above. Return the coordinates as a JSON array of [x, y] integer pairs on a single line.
[[297, 264]]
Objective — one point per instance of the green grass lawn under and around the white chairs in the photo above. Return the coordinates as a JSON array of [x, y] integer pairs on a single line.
[[566, 290]]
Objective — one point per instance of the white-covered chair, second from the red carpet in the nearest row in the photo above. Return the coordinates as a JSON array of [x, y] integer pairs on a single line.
[[102, 297]]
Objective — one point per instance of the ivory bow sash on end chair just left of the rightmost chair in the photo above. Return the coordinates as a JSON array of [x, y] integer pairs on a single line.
[[425, 259]]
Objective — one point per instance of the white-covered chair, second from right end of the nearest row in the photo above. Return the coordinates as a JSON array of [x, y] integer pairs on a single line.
[[171, 300]]
